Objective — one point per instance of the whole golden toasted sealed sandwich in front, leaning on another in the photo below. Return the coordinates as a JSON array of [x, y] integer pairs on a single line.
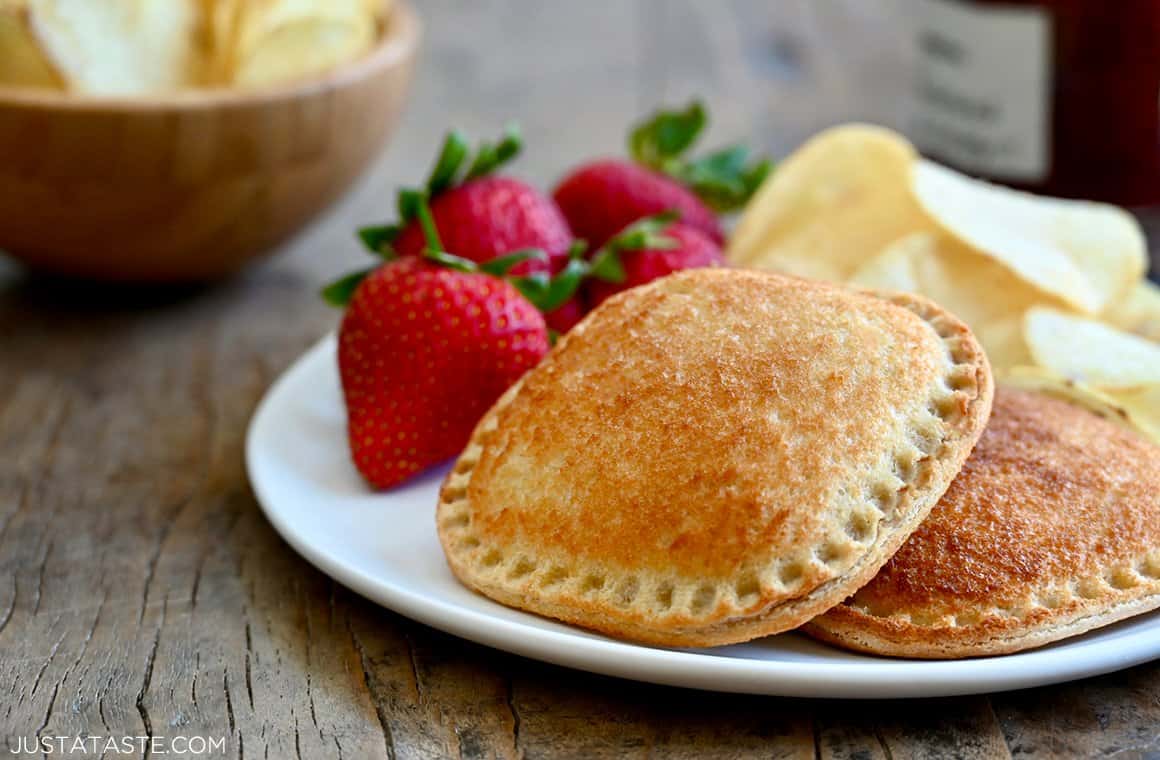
[[715, 457]]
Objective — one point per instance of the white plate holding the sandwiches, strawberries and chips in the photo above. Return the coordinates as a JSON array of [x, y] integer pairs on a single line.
[[385, 547]]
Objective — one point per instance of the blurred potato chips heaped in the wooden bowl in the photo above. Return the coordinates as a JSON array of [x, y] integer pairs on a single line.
[[142, 47]]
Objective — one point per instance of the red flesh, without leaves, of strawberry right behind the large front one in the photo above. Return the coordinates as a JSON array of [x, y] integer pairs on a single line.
[[492, 216]]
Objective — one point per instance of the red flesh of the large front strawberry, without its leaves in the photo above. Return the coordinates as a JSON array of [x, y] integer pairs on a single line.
[[424, 352]]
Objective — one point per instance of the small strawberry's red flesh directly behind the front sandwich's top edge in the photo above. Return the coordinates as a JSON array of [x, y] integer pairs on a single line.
[[655, 255]]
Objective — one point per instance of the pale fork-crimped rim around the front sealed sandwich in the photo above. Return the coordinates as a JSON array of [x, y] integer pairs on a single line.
[[728, 618]]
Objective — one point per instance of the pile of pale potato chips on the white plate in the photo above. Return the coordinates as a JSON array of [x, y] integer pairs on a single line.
[[1055, 289]]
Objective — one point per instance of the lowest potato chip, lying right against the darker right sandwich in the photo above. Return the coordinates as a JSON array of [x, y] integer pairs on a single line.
[[1112, 407]]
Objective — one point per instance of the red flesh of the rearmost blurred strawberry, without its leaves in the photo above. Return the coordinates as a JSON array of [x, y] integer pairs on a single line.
[[603, 198]]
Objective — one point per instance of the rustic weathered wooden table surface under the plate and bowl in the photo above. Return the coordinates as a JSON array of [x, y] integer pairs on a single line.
[[142, 592]]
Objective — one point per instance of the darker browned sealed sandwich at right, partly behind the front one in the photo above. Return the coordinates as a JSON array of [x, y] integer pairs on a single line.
[[1052, 530]]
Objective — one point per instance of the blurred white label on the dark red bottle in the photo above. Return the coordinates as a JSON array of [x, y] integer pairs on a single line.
[[983, 82]]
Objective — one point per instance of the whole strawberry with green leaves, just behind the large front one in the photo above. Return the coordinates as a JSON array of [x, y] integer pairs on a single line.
[[481, 216]]
